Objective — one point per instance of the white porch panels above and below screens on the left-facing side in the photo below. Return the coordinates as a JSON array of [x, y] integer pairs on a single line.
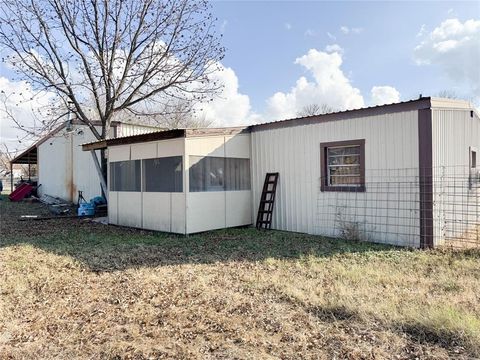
[[161, 211]]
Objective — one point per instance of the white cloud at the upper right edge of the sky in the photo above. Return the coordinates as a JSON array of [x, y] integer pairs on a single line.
[[454, 47]]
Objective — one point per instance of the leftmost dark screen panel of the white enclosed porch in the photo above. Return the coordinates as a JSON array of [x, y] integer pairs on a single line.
[[125, 175]]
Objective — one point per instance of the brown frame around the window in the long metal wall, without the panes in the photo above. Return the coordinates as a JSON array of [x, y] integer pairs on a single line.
[[324, 166]]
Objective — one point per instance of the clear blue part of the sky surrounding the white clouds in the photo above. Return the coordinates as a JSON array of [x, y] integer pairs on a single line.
[[262, 48]]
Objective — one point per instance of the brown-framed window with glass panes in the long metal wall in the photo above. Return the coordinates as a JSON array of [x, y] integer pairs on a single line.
[[343, 166]]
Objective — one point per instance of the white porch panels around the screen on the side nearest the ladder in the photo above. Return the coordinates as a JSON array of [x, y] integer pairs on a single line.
[[217, 209]]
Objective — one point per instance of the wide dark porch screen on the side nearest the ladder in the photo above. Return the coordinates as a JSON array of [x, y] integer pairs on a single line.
[[219, 174]]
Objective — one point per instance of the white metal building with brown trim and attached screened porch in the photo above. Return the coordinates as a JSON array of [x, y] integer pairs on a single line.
[[403, 174]]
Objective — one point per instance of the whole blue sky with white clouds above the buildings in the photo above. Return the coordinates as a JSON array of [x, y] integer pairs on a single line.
[[282, 55]]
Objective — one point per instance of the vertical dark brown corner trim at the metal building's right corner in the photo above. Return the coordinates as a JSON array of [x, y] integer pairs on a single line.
[[425, 168]]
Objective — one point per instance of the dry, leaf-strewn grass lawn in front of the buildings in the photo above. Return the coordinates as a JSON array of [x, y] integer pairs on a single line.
[[73, 289]]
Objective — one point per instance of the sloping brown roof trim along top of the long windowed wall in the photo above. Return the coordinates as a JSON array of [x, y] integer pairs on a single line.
[[422, 103]]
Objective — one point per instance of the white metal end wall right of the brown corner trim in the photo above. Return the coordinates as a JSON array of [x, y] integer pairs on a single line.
[[454, 131]]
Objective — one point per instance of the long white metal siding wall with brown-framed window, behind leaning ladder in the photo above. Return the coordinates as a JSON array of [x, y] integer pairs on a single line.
[[389, 209]]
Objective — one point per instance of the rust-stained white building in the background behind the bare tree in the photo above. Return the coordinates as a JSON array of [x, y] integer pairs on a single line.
[[62, 167]]
